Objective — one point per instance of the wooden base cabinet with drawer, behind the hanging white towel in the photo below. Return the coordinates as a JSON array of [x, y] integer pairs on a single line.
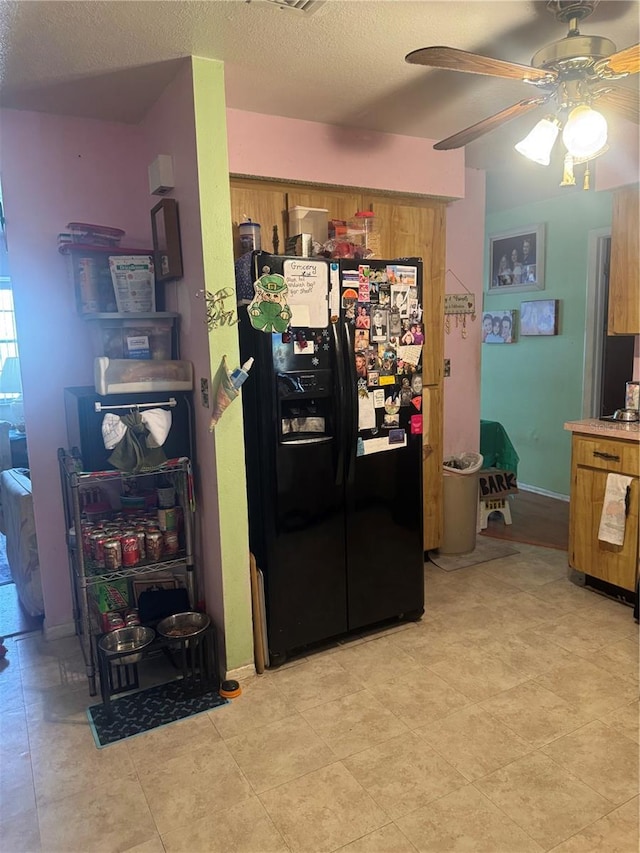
[[592, 459]]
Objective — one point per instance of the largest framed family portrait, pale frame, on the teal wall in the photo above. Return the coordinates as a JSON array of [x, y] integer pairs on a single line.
[[516, 260]]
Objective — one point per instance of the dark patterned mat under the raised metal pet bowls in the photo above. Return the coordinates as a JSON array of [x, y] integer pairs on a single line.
[[149, 709]]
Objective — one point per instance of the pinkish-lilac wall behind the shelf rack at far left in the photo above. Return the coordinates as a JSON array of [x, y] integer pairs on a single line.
[[56, 170]]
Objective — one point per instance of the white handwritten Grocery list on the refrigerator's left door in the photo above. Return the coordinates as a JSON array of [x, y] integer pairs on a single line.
[[308, 296]]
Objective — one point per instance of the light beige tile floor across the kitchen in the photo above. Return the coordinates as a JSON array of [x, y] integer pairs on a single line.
[[506, 721]]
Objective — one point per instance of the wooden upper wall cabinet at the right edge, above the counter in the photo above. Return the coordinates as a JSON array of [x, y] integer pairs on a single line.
[[624, 277]]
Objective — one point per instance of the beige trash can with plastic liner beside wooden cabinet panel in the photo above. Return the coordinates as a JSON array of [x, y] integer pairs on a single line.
[[460, 503]]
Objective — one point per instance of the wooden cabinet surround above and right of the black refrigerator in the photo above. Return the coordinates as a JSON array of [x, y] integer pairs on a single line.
[[409, 226]]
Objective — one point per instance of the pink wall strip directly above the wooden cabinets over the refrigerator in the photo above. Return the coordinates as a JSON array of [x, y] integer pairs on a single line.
[[294, 150]]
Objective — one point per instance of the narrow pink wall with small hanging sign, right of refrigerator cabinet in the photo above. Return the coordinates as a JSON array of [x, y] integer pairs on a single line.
[[465, 261]]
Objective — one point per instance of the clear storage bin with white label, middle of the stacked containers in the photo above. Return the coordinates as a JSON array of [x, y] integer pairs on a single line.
[[150, 335]]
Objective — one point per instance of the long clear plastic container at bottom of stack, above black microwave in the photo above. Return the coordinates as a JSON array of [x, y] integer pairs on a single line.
[[131, 376]]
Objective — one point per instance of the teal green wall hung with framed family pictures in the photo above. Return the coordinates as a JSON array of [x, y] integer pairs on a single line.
[[534, 385]]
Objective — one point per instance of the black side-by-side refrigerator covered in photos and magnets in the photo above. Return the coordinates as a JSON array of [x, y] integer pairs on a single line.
[[333, 443]]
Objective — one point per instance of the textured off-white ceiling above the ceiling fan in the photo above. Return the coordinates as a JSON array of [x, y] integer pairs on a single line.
[[343, 64]]
